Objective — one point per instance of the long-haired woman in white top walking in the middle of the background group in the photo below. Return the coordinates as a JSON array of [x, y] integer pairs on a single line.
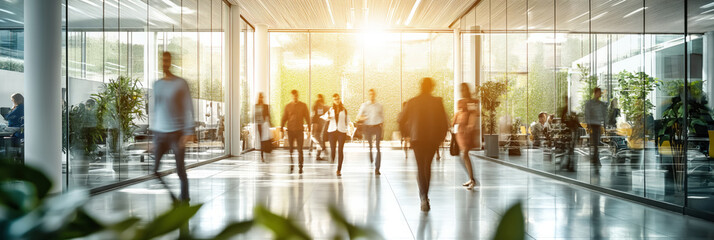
[[337, 122]]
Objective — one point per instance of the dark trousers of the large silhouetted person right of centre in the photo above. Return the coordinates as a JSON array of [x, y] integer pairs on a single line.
[[424, 153]]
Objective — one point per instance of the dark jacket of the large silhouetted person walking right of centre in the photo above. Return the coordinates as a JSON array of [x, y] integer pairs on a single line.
[[425, 118]]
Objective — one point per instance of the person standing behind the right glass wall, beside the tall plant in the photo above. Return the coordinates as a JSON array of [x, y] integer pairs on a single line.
[[595, 114]]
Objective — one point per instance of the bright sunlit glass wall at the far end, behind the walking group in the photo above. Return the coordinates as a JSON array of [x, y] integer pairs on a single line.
[[351, 63]]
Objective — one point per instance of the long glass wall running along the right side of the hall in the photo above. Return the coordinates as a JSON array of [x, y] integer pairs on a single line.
[[652, 61]]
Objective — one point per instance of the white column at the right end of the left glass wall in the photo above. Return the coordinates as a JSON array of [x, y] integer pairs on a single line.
[[234, 120]]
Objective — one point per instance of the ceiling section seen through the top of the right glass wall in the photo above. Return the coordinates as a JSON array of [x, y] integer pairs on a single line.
[[611, 16]]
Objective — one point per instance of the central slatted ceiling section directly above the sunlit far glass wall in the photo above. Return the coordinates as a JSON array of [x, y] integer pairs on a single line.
[[346, 14]]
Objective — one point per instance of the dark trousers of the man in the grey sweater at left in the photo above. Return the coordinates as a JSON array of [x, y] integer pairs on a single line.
[[162, 143]]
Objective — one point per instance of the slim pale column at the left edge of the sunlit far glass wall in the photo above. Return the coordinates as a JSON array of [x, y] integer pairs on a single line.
[[262, 61]]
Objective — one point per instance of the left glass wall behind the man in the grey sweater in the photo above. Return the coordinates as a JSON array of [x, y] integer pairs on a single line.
[[113, 57]]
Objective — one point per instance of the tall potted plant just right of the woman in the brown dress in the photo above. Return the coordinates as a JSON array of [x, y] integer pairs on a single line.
[[491, 92]]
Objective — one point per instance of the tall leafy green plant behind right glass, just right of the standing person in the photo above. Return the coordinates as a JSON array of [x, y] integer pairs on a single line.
[[635, 105]]
